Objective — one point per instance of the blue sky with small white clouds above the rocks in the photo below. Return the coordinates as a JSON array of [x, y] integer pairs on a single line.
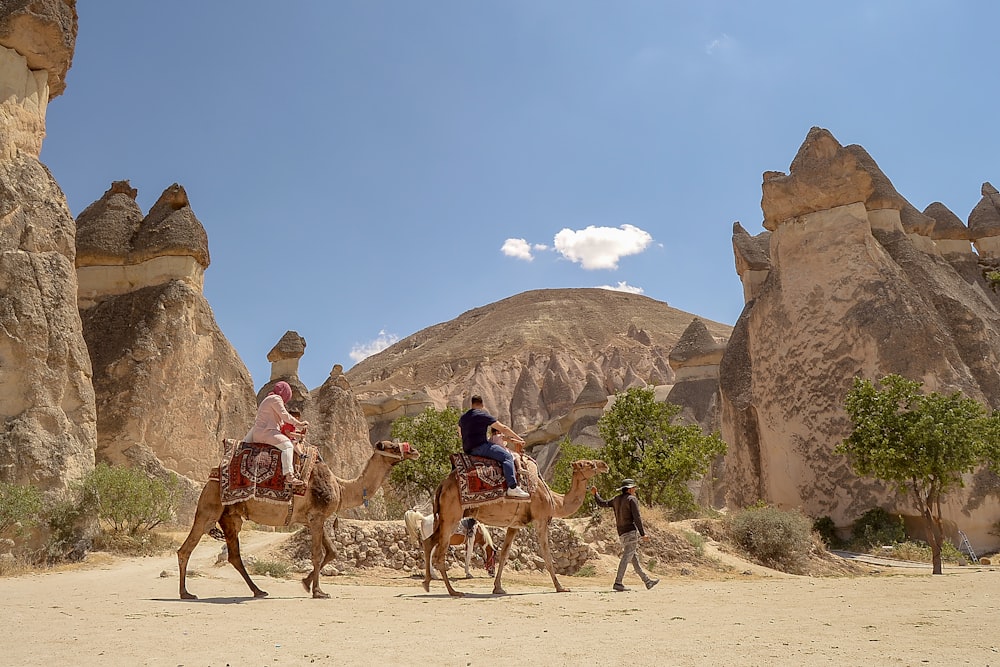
[[368, 169]]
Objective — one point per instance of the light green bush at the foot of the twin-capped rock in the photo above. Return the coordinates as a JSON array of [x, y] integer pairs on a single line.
[[127, 500]]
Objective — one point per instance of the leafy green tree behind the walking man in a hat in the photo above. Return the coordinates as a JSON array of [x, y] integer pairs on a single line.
[[644, 441]]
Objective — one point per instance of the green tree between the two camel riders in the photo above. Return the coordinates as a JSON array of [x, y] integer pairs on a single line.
[[435, 434]]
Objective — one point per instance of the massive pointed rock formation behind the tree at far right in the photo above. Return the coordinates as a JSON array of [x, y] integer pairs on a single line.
[[860, 284]]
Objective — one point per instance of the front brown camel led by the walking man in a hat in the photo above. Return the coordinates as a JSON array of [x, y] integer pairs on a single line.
[[544, 505]]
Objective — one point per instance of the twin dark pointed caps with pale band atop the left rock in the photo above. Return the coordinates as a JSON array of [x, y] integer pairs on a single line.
[[119, 250]]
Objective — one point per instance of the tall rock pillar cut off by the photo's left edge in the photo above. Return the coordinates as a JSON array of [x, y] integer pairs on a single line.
[[46, 396]]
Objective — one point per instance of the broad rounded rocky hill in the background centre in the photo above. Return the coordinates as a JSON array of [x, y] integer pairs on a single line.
[[545, 361]]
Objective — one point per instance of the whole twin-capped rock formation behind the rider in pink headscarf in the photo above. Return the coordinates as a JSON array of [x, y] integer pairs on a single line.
[[168, 383]]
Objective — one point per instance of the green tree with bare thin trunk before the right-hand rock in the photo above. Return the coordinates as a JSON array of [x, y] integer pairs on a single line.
[[920, 443]]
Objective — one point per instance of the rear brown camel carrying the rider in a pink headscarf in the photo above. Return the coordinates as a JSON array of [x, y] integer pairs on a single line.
[[326, 494]]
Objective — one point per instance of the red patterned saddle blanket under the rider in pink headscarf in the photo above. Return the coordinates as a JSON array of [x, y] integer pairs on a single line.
[[252, 471]]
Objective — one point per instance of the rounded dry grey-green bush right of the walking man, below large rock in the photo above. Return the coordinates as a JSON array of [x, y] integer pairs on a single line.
[[772, 537]]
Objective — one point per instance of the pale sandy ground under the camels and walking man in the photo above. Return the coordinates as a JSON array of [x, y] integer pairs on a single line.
[[126, 612]]
